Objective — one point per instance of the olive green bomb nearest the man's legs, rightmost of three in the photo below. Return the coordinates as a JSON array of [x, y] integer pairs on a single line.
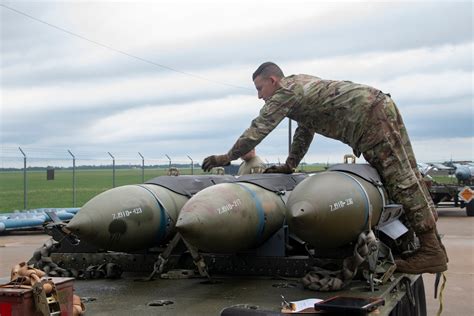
[[330, 209]]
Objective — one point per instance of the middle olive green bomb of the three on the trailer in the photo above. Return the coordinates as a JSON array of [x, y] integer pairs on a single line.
[[231, 217]]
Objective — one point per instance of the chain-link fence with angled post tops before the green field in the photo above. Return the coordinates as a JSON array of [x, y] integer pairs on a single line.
[[36, 178]]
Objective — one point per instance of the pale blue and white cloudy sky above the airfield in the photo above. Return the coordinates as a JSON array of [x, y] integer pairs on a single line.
[[174, 77]]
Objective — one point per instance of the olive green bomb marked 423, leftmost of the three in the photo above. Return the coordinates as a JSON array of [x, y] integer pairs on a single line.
[[128, 218]]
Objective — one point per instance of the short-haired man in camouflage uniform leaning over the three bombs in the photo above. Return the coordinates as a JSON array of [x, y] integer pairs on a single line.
[[362, 117]]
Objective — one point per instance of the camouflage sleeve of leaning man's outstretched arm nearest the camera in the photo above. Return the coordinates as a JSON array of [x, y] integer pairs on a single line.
[[271, 114]]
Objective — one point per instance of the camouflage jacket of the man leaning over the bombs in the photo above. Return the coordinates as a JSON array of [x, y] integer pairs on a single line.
[[336, 109]]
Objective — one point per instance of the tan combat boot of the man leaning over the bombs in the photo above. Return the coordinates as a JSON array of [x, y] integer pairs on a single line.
[[430, 258]]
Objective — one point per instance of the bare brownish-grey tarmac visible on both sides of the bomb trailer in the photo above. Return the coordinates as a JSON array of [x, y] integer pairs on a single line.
[[457, 228]]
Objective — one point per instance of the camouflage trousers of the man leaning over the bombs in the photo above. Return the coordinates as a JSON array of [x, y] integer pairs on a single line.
[[395, 161]]
